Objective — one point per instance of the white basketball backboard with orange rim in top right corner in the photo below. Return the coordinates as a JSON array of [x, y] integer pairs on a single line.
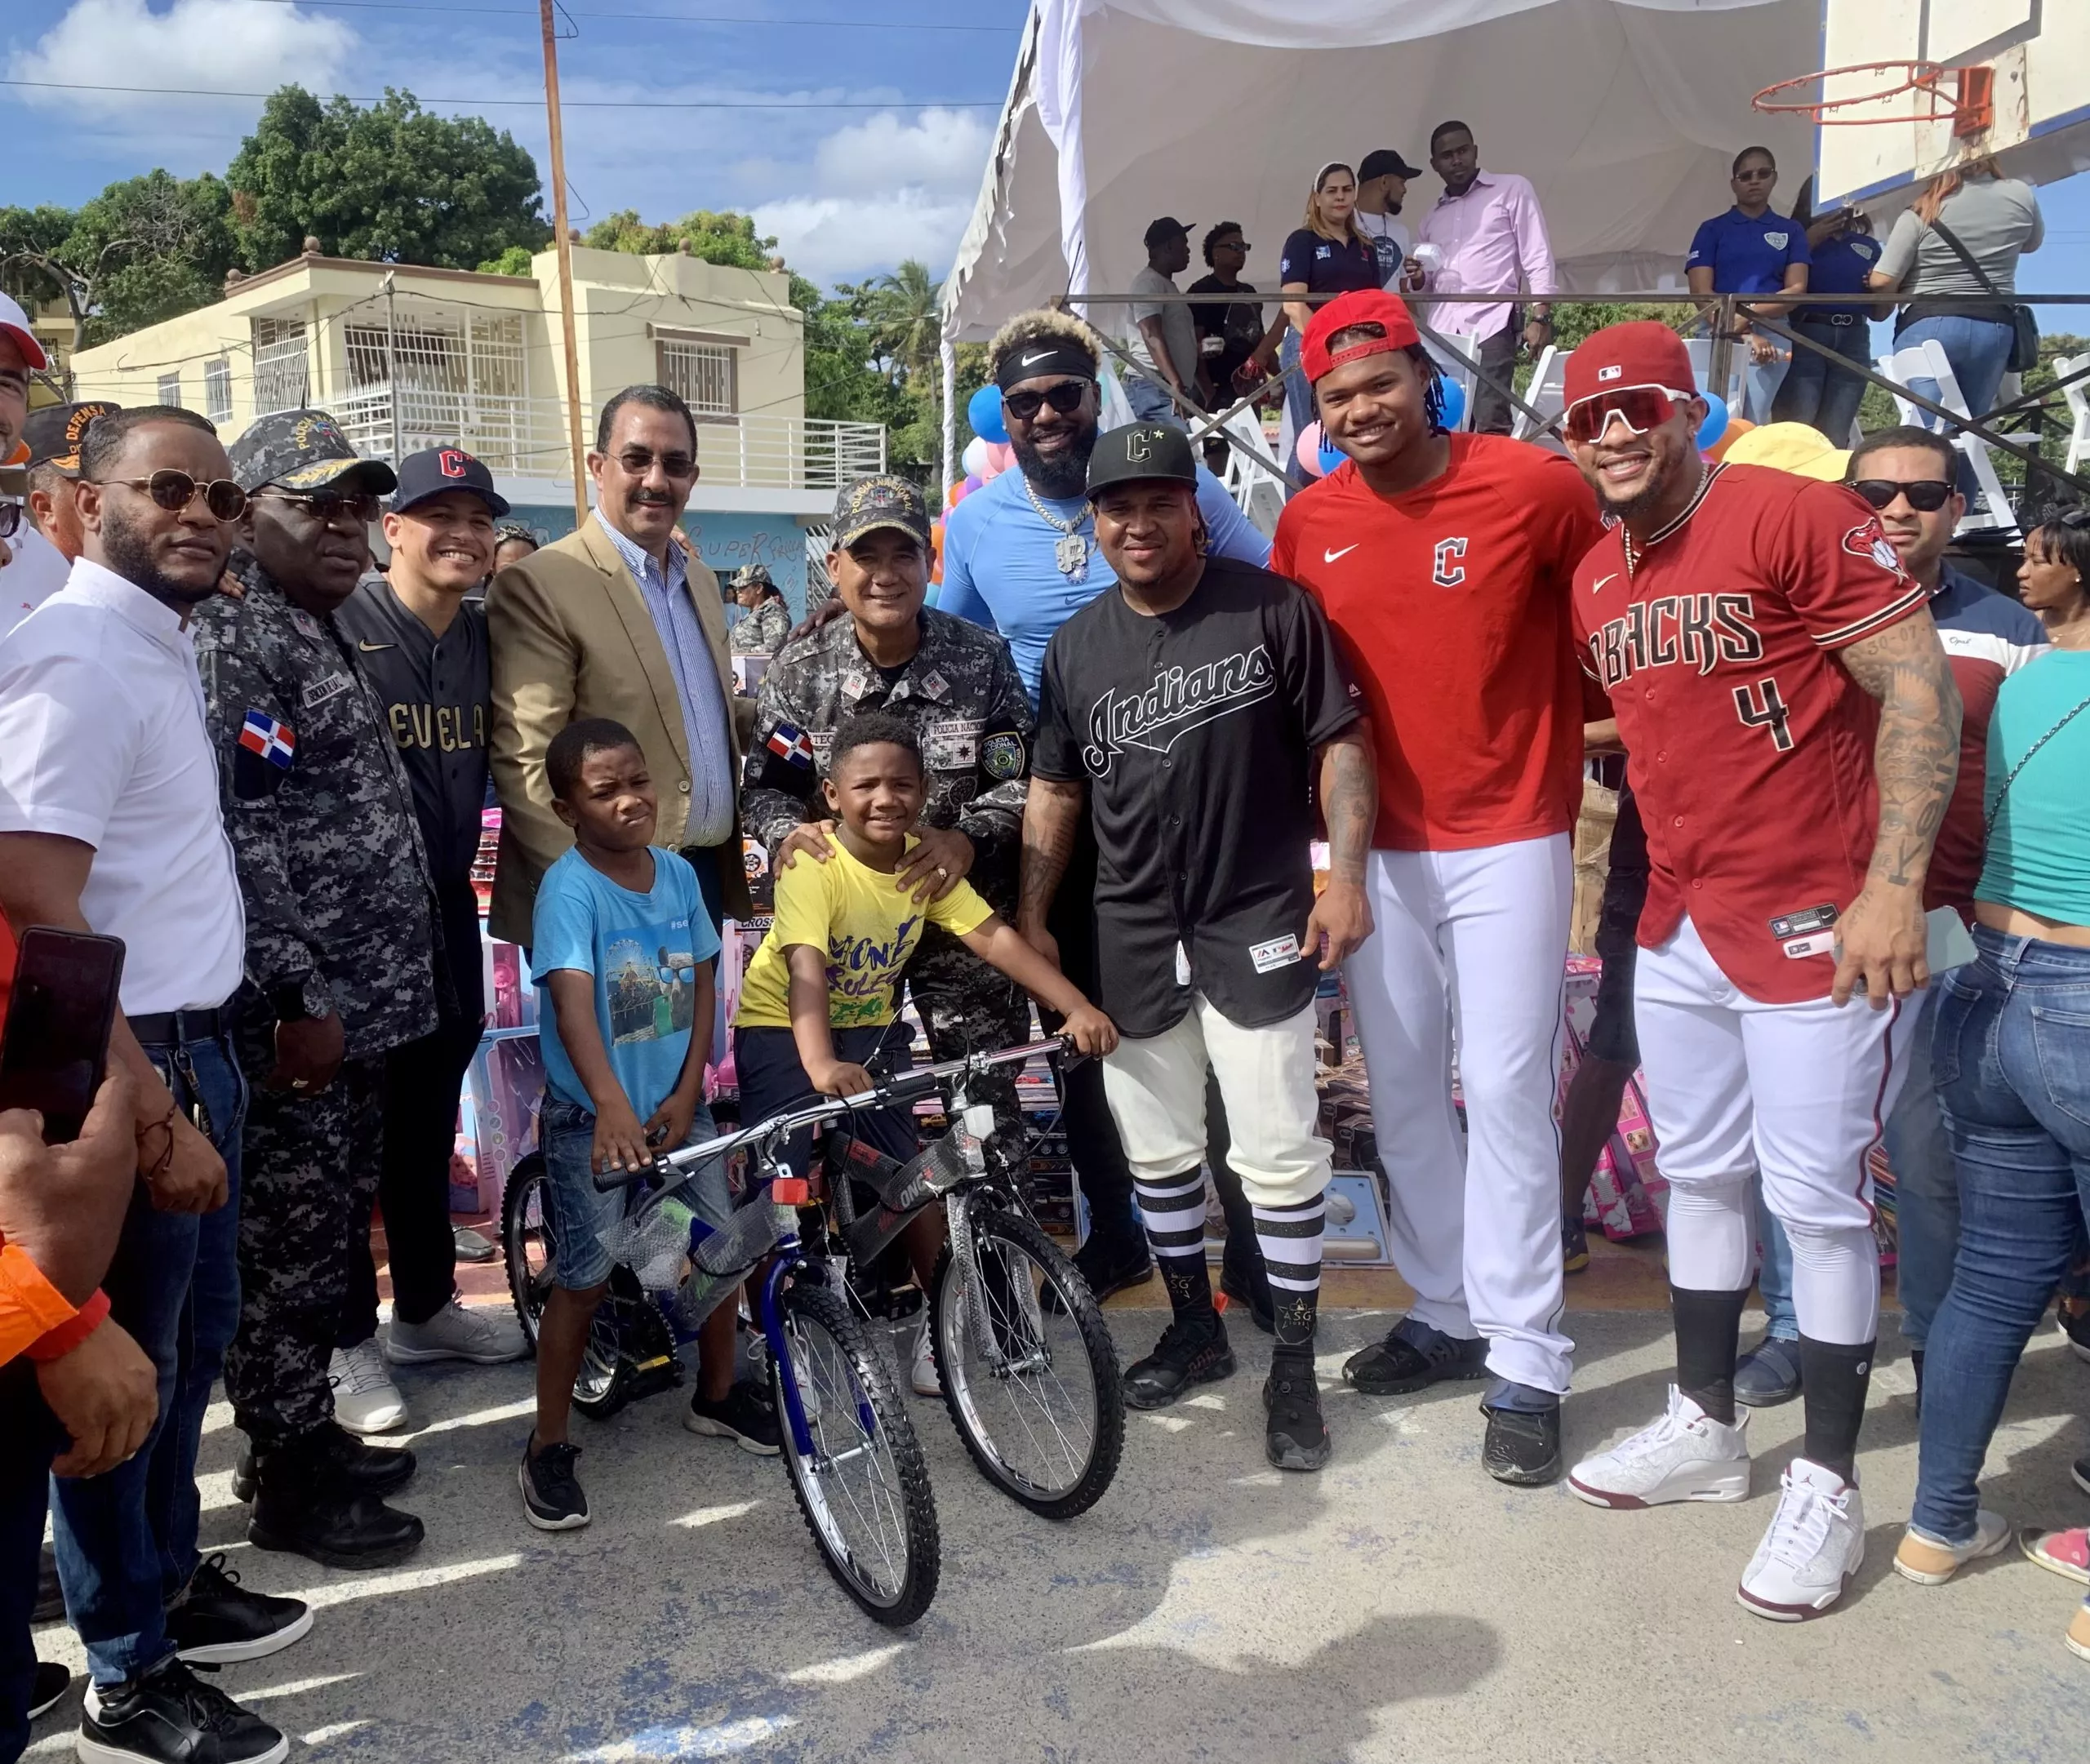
[[2035, 93]]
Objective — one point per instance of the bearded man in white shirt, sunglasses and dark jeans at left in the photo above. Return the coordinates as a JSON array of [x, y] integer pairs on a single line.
[[110, 822]]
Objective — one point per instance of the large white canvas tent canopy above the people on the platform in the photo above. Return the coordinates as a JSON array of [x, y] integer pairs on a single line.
[[1625, 114]]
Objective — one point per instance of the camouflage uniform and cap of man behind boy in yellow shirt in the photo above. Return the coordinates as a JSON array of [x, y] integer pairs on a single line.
[[969, 710]]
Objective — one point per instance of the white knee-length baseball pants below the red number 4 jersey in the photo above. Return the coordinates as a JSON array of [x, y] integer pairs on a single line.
[[1796, 1094]]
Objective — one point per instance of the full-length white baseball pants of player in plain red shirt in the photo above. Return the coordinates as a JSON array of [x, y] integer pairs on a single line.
[[1472, 944]]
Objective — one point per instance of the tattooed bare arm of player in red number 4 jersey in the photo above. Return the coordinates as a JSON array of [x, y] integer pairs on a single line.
[[1915, 762]]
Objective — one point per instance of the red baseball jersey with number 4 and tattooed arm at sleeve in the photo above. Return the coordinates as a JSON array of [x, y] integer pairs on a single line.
[[1748, 745]]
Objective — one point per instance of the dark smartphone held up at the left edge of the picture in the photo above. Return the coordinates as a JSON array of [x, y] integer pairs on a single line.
[[62, 1006]]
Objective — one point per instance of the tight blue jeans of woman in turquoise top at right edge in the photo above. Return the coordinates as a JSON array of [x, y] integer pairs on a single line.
[[2012, 1052]]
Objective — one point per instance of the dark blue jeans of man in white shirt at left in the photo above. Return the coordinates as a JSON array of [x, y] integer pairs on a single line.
[[126, 1541]]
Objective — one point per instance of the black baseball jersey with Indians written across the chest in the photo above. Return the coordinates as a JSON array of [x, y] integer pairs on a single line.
[[1194, 735]]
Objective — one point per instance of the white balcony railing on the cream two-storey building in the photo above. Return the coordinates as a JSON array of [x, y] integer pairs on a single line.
[[528, 438]]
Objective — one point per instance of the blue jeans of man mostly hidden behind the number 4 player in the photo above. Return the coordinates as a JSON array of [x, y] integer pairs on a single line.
[[1926, 1205]]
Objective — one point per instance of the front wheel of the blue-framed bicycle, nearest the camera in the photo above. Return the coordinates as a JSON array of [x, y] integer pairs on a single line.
[[864, 1489]]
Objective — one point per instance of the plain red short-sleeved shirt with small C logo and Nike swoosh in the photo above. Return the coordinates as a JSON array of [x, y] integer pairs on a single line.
[[1452, 603]]
